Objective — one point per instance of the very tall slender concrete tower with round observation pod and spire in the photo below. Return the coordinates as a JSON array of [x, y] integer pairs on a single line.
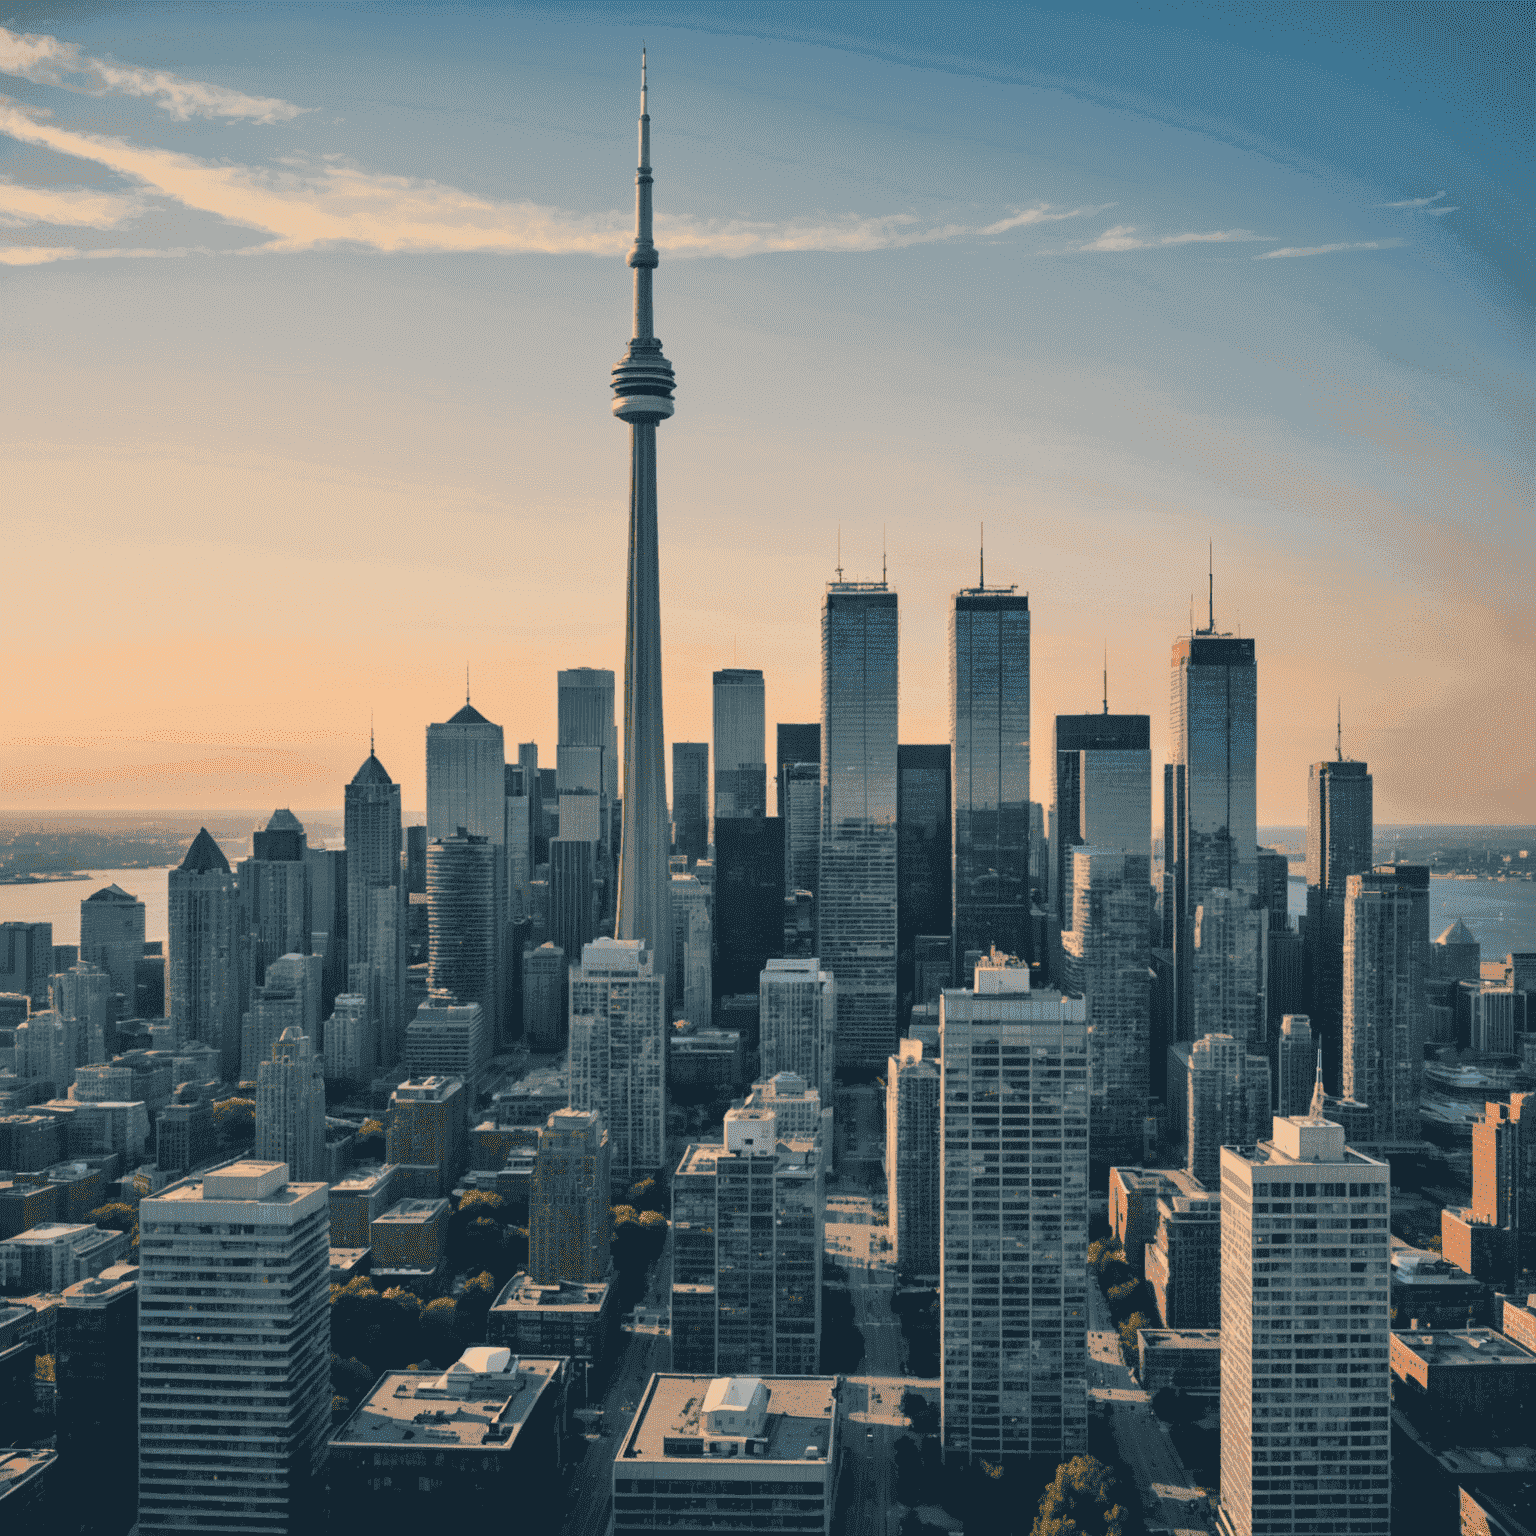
[[643, 386]]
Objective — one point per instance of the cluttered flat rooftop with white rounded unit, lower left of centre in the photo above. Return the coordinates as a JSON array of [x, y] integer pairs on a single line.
[[478, 1403]]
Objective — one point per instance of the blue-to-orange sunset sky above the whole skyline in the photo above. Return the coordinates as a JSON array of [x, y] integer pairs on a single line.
[[308, 316]]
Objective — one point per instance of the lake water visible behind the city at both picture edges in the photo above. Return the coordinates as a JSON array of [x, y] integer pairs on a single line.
[[1501, 915]]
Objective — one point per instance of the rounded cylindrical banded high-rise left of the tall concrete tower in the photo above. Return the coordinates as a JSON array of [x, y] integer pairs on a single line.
[[465, 948]]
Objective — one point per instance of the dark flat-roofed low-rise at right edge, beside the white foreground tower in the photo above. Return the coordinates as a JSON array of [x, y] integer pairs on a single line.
[[1466, 1383]]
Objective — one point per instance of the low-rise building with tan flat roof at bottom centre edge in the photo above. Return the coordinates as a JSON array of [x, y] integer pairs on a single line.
[[744, 1454]]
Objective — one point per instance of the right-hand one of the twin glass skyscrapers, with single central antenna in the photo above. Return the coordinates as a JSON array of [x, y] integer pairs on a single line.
[[990, 789]]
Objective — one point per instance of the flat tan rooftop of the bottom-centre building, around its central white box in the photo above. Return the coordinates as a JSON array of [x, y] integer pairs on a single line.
[[670, 1425]]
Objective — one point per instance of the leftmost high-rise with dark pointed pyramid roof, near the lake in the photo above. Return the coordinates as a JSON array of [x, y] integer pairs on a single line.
[[204, 953]]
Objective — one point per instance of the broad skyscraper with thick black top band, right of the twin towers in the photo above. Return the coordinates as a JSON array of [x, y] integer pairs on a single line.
[[1102, 795]]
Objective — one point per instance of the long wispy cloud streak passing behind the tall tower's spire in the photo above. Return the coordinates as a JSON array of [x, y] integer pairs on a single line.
[[310, 205]]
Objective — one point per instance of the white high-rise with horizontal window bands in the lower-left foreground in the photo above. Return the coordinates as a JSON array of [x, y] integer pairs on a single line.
[[234, 1346]]
